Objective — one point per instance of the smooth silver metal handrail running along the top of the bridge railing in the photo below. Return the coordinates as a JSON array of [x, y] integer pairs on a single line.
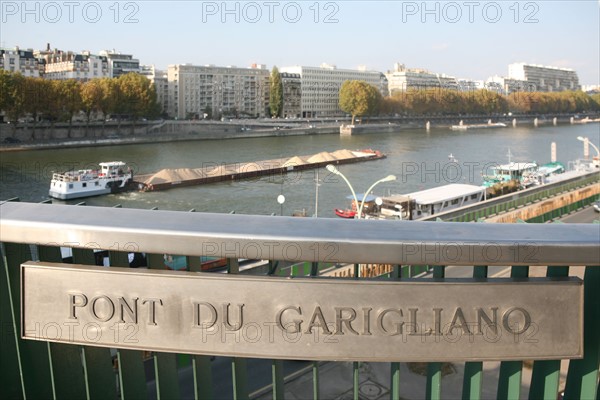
[[299, 239]]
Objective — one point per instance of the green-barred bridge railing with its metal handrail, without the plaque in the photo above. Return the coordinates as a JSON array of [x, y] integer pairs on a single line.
[[39, 369]]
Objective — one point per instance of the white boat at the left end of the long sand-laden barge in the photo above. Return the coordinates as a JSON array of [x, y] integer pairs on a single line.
[[112, 177]]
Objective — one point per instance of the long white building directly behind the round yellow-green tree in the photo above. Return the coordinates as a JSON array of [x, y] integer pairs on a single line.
[[320, 87]]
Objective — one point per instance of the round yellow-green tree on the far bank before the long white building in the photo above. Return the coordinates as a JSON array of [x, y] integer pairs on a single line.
[[358, 98]]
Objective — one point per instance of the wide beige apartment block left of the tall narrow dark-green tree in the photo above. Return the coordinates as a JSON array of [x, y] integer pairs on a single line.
[[218, 91]]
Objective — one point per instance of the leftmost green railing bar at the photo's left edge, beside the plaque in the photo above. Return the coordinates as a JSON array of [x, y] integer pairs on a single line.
[[10, 364]]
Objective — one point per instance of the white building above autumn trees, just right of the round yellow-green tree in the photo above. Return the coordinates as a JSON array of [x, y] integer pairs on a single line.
[[402, 79]]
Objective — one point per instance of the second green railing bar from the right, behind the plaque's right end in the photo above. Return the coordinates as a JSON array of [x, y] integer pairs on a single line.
[[546, 373]]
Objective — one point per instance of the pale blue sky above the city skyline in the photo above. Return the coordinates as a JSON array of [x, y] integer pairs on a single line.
[[466, 39]]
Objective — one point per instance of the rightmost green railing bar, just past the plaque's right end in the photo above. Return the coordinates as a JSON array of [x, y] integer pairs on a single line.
[[582, 378]]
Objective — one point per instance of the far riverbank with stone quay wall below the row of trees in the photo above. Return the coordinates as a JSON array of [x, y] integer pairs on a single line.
[[29, 137]]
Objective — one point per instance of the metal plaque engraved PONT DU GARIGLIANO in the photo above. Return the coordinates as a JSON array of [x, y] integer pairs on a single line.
[[303, 318]]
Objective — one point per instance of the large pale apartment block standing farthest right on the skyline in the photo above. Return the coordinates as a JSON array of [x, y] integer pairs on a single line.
[[545, 78]]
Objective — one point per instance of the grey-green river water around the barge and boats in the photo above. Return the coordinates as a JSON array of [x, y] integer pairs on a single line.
[[418, 158]]
